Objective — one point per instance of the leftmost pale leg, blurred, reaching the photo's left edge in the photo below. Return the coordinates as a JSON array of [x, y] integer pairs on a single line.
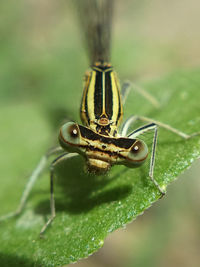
[[31, 181]]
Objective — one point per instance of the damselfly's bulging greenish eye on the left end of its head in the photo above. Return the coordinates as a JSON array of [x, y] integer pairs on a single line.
[[70, 134]]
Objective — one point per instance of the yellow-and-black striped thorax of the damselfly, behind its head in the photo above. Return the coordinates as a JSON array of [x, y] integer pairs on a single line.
[[101, 107]]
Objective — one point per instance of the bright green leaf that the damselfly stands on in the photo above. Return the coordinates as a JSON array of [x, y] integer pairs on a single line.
[[88, 207]]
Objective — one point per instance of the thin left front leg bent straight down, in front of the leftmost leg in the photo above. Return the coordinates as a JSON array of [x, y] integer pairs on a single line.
[[52, 200]]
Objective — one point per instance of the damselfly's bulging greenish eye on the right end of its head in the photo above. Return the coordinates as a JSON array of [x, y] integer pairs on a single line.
[[138, 152]]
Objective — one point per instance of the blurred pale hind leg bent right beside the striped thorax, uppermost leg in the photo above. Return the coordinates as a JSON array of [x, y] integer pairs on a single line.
[[126, 86]]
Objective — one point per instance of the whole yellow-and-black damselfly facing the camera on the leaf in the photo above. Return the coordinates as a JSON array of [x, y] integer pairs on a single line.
[[100, 140]]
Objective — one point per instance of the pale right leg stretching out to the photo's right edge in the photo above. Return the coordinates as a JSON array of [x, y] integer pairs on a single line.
[[132, 119]]
